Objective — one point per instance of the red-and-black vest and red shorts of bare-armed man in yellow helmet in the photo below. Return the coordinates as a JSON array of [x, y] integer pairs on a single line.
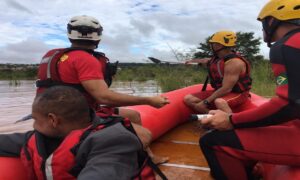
[[240, 91]]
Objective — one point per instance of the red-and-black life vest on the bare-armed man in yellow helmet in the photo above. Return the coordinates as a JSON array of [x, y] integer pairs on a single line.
[[216, 73]]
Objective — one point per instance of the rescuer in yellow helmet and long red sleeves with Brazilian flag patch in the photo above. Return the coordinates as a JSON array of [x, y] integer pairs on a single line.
[[269, 133]]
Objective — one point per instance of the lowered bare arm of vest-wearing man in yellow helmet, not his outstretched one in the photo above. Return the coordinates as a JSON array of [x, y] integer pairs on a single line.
[[232, 70]]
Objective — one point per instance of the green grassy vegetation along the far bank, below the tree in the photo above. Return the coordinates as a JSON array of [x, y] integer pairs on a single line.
[[168, 76]]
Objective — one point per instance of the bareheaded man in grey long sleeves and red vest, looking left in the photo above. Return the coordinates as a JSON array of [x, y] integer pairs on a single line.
[[68, 143]]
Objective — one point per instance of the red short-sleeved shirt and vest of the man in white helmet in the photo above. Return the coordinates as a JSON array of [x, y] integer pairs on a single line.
[[71, 66]]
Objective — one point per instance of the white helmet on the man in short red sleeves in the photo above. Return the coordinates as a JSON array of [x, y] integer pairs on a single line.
[[84, 28]]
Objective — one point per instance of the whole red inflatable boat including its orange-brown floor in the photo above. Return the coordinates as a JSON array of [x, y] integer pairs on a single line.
[[175, 138]]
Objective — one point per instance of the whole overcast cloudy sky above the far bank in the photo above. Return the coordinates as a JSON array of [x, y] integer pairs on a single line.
[[133, 29]]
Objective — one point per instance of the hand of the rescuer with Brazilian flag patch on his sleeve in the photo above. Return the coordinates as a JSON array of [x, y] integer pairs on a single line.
[[219, 120]]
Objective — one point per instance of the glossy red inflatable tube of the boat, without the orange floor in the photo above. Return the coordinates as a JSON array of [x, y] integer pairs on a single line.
[[160, 121]]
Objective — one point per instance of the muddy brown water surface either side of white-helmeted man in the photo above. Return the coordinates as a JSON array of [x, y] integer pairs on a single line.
[[15, 101]]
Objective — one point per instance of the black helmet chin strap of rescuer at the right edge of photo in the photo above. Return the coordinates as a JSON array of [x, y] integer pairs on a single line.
[[270, 29]]
